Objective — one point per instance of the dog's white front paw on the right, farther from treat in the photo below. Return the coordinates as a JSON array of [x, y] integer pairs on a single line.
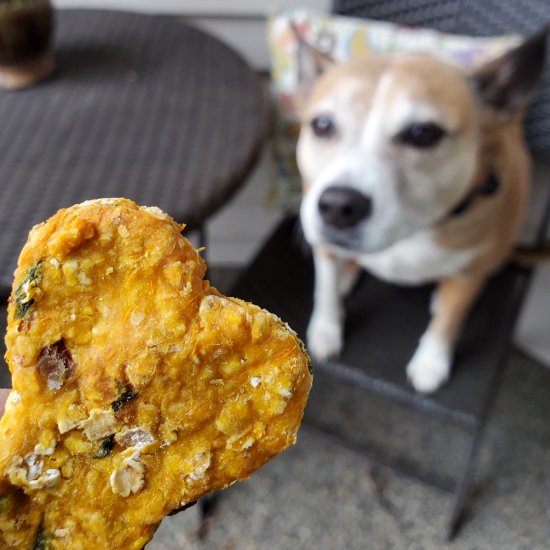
[[430, 366]]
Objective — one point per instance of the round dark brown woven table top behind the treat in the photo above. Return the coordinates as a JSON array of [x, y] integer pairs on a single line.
[[142, 107]]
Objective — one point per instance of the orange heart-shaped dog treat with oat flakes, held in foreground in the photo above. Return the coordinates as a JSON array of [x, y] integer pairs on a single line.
[[137, 387]]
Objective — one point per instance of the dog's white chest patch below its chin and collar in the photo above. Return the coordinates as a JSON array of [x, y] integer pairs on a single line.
[[416, 260]]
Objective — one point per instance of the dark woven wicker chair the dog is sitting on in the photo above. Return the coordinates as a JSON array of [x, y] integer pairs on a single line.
[[281, 276]]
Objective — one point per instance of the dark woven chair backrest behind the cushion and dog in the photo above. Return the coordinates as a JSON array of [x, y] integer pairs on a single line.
[[476, 18]]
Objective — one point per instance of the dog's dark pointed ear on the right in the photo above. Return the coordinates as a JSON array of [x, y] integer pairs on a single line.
[[507, 84]]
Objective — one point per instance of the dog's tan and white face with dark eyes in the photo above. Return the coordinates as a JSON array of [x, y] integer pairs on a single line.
[[387, 146]]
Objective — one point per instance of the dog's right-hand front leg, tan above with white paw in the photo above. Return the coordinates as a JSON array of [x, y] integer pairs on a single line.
[[431, 363]]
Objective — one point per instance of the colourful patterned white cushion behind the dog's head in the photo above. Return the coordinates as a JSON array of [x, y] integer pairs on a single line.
[[343, 38]]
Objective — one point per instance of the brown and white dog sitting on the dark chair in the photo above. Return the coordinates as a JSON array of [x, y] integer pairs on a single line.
[[417, 173]]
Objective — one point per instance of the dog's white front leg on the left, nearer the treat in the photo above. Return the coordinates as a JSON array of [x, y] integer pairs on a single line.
[[324, 333]]
